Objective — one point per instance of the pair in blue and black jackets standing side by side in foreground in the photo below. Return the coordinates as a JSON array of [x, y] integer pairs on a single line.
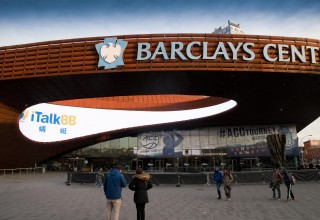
[[113, 184]]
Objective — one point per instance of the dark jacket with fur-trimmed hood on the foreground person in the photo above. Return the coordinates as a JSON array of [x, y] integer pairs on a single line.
[[140, 184]]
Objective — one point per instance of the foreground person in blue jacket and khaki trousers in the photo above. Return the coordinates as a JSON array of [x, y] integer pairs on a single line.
[[113, 184]]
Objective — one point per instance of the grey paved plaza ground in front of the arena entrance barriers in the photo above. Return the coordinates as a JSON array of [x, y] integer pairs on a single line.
[[46, 196]]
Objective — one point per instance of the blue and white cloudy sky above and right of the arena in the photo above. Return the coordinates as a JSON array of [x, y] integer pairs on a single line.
[[28, 21]]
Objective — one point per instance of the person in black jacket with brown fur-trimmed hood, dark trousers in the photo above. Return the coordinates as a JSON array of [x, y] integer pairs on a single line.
[[140, 184]]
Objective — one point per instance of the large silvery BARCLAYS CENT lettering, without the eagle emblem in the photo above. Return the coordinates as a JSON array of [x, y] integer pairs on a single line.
[[240, 50]]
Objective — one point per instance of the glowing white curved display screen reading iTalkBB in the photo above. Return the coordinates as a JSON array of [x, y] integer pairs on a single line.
[[51, 123]]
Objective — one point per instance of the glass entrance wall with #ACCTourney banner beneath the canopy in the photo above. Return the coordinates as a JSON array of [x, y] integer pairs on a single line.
[[194, 150]]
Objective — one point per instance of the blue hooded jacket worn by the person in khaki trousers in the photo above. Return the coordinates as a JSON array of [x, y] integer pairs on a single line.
[[113, 184]]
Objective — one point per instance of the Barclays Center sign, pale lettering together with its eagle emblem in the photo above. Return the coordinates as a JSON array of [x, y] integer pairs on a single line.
[[111, 52]]
